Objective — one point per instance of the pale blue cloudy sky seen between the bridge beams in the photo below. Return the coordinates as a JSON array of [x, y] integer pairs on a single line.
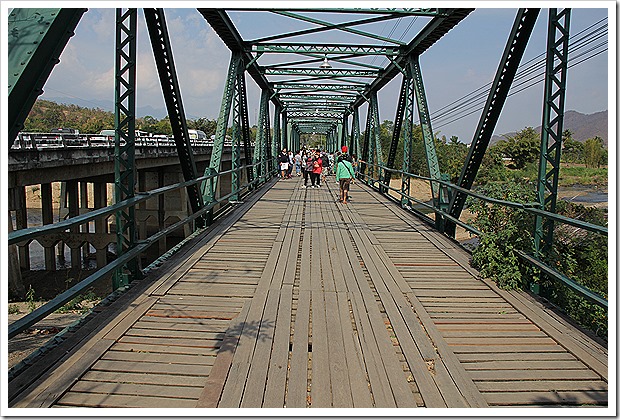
[[461, 62]]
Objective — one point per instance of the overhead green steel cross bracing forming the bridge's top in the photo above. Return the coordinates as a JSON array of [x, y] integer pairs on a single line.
[[334, 59]]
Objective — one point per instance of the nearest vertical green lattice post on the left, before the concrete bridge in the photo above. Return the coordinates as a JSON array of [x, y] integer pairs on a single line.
[[125, 171]]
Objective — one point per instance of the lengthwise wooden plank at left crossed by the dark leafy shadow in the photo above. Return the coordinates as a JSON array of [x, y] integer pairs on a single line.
[[214, 384]]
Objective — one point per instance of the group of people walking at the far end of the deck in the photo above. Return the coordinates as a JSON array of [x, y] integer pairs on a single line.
[[315, 164]]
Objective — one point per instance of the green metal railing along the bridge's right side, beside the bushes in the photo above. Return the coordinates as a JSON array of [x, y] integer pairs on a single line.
[[533, 208]]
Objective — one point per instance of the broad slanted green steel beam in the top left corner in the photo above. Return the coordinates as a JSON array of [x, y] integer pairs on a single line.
[[36, 39]]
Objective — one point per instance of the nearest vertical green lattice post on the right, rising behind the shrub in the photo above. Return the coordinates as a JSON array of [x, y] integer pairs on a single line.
[[552, 125]]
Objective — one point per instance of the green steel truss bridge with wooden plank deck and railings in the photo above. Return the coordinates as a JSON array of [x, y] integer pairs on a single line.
[[280, 297]]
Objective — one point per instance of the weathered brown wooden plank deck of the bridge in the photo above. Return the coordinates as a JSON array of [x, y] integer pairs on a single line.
[[304, 302]]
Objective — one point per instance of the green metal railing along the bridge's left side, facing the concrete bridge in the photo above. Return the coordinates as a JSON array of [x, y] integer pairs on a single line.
[[218, 206]]
